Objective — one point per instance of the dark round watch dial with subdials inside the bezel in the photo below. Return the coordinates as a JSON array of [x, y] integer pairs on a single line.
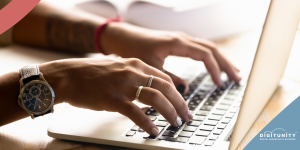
[[37, 97]]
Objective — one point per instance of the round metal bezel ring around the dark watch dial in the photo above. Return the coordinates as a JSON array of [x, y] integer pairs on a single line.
[[20, 101]]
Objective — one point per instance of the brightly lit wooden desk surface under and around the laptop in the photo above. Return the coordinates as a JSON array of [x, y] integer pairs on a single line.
[[32, 134]]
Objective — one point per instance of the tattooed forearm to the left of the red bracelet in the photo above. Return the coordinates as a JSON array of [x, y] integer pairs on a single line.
[[53, 28]]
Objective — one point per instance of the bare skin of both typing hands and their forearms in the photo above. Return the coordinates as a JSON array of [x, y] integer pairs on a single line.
[[114, 81]]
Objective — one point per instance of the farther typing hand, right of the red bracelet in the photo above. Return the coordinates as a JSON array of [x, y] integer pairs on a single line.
[[153, 46]]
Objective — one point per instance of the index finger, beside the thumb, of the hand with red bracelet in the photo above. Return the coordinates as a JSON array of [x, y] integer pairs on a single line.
[[201, 53]]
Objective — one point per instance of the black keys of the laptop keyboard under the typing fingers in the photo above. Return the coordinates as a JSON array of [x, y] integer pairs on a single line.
[[212, 108]]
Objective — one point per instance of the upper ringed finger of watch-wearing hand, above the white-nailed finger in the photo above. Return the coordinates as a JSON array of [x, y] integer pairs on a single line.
[[173, 97]]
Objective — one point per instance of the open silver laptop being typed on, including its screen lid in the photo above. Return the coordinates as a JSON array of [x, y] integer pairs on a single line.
[[222, 115]]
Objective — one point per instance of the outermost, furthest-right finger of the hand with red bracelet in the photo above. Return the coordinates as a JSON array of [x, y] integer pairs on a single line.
[[223, 62]]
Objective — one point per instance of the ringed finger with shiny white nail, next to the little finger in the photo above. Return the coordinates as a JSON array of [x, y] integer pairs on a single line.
[[160, 103]]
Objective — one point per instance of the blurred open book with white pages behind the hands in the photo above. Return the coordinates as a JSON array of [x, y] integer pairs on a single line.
[[210, 19]]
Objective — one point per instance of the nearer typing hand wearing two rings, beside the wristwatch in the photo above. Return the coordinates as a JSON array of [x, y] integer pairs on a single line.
[[111, 85]]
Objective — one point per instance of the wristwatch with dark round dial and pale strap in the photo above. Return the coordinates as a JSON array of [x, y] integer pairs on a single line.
[[36, 95]]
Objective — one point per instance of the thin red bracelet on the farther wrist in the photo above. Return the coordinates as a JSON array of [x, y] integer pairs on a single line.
[[100, 29]]
